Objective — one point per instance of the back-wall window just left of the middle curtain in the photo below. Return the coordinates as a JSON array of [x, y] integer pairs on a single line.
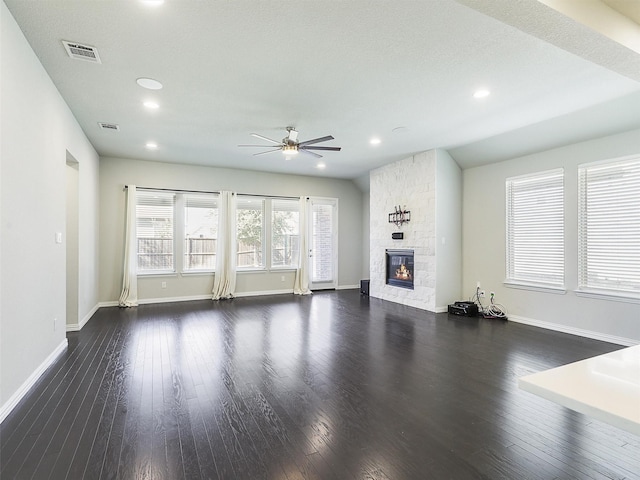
[[200, 232]]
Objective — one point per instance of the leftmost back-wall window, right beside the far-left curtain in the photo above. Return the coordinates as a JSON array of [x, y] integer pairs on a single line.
[[155, 231]]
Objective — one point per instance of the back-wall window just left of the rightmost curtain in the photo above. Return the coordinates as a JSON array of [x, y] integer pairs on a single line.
[[285, 235]]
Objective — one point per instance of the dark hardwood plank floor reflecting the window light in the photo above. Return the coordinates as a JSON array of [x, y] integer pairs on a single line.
[[331, 386]]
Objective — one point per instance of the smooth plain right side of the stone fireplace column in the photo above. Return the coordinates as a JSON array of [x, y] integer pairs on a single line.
[[448, 240]]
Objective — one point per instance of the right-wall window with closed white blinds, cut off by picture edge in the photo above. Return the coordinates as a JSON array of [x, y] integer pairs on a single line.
[[609, 226]]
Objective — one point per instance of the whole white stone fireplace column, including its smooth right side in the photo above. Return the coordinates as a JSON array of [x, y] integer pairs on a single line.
[[417, 182]]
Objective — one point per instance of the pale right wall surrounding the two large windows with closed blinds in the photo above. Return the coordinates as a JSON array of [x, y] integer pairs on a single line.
[[484, 244]]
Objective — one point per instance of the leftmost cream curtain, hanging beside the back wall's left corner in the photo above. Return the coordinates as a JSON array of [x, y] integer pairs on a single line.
[[129, 294]]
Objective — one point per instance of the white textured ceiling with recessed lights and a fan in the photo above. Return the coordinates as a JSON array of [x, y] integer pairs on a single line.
[[352, 69]]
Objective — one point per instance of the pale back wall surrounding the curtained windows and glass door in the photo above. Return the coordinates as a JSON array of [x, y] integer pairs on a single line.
[[115, 173]]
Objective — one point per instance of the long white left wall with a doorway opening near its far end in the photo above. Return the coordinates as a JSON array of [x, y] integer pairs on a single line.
[[38, 130]]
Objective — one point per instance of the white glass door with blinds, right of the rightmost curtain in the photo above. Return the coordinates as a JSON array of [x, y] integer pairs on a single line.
[[323, 243]]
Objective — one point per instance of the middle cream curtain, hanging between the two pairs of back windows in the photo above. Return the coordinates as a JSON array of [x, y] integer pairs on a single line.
[[224, 281]]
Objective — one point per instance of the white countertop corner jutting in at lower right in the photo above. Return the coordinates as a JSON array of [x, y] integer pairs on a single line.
[[606, 387]]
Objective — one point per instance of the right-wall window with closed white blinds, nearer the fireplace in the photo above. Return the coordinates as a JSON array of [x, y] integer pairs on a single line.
[[535, 229]]
